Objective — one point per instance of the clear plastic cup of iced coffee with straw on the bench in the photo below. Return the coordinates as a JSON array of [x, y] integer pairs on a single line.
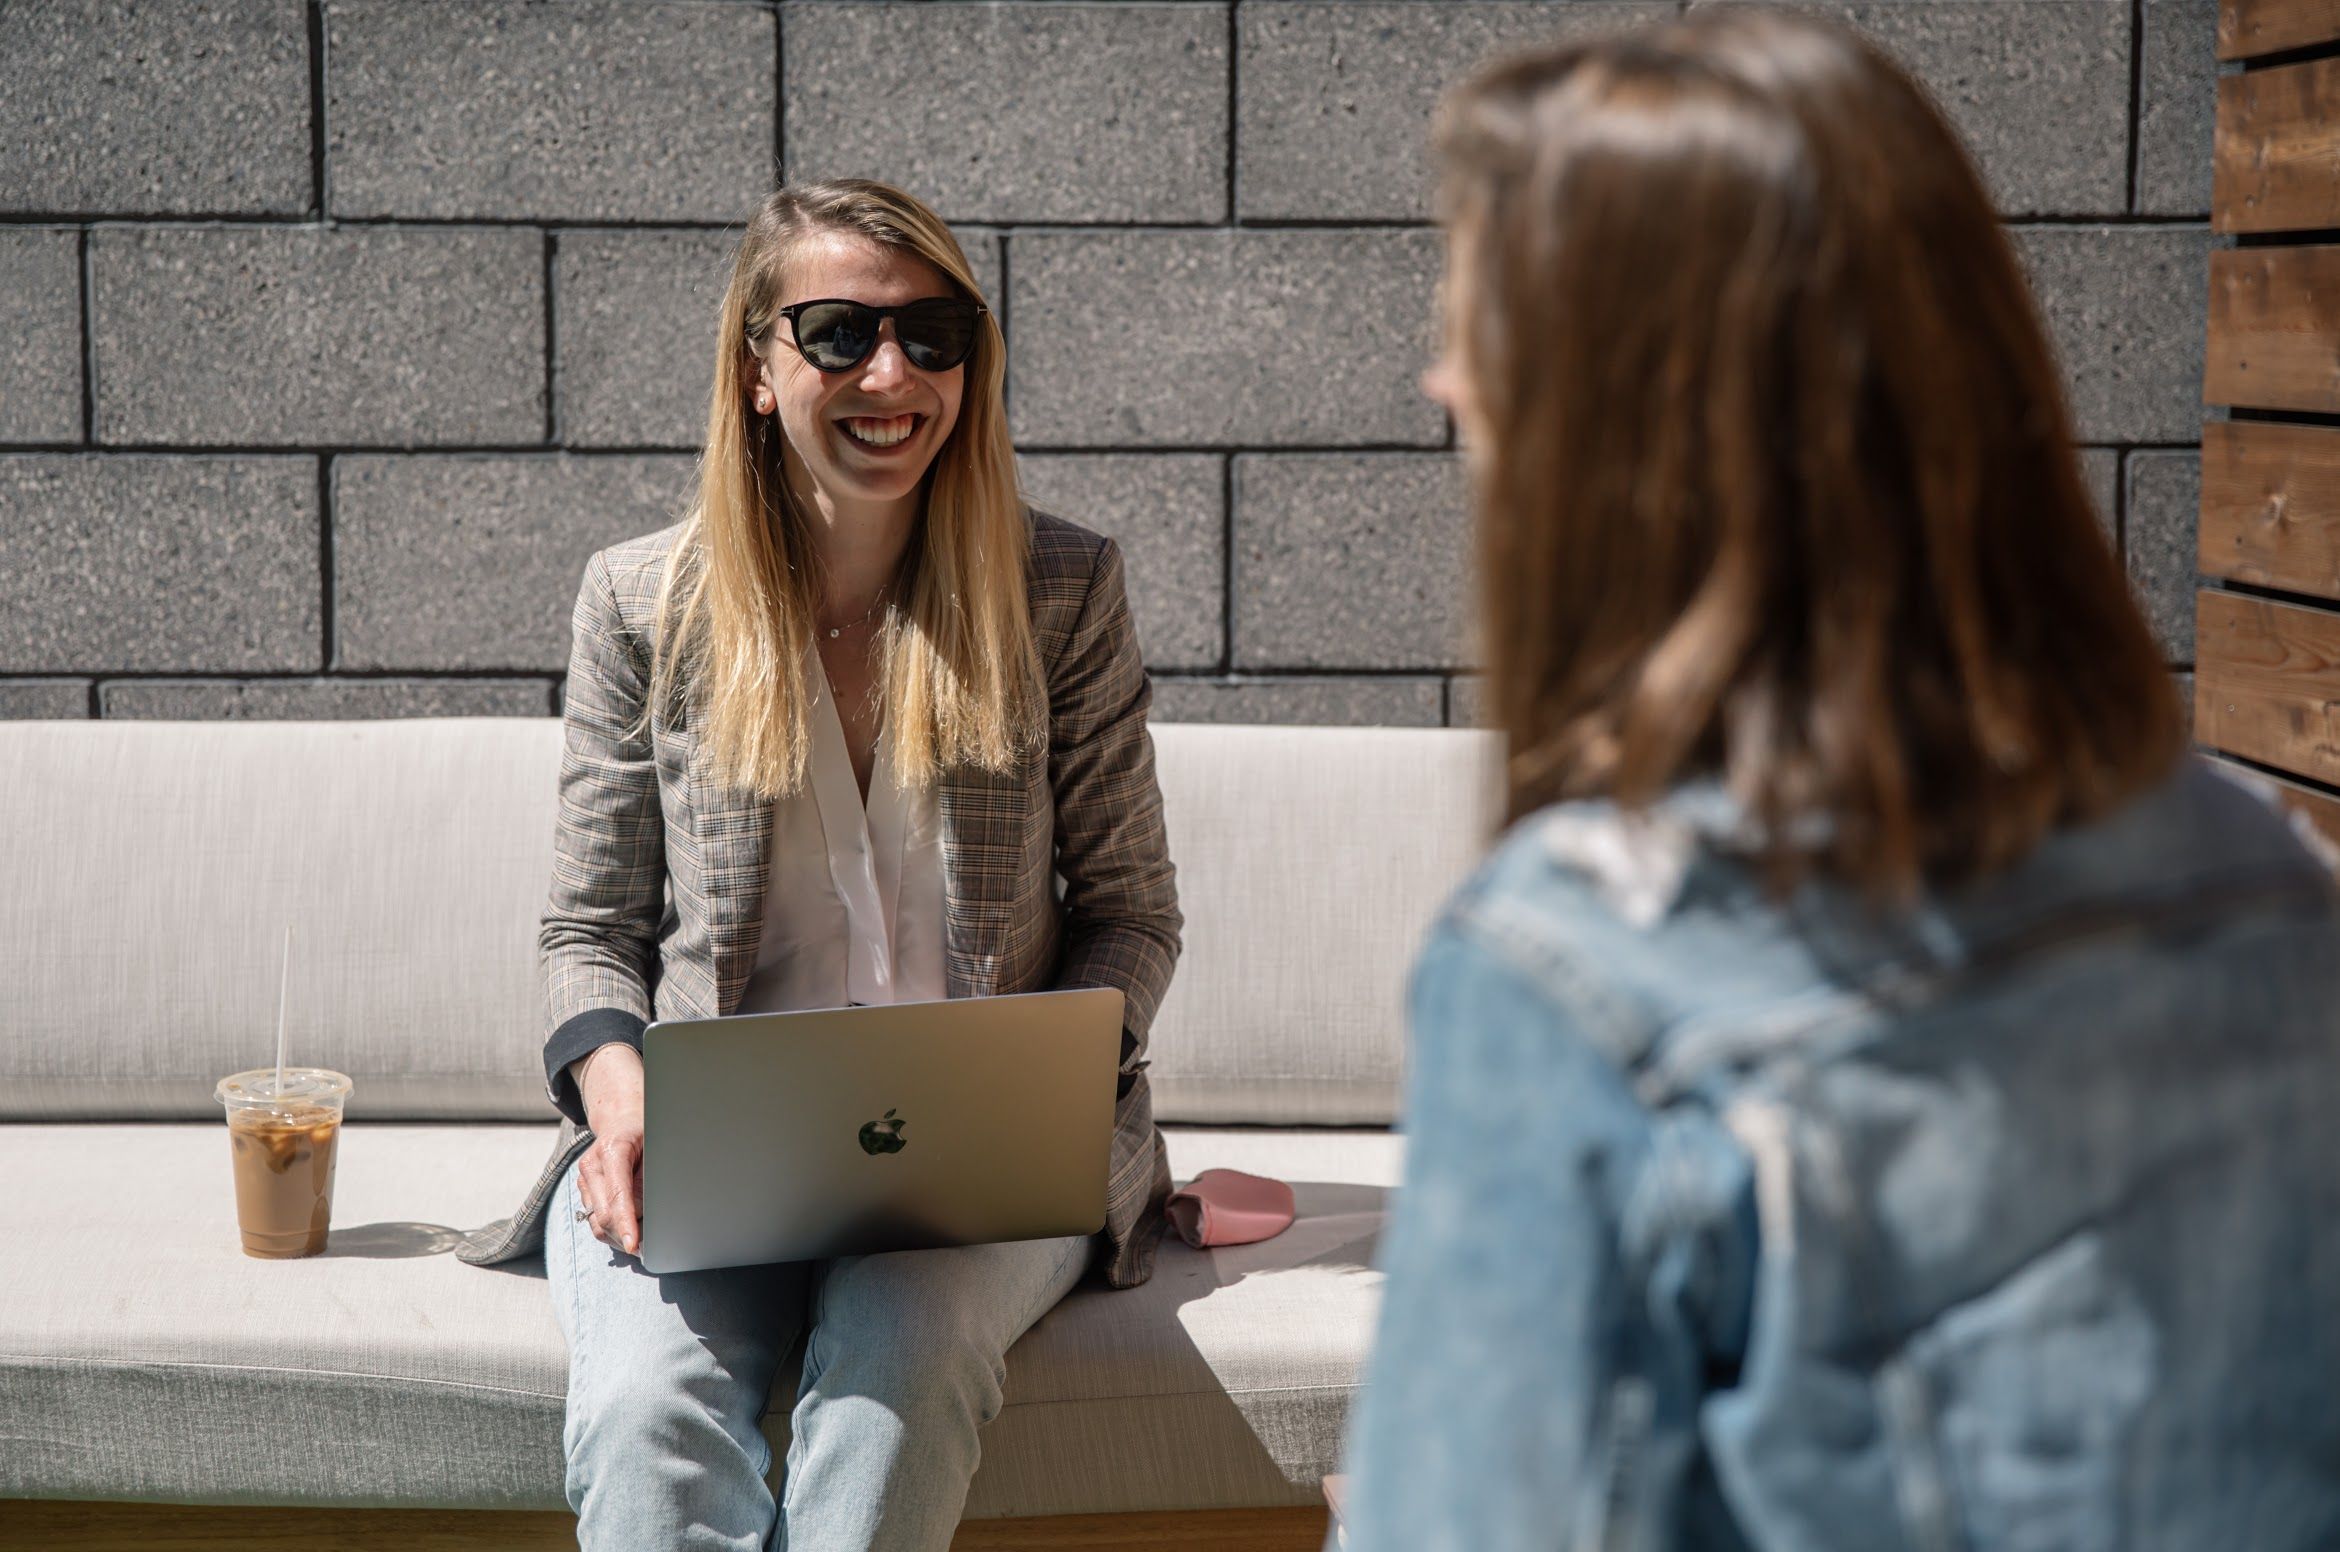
[[284, 1144]]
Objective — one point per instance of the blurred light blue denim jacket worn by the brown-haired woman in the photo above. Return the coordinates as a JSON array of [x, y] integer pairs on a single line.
[[2009, 1223]]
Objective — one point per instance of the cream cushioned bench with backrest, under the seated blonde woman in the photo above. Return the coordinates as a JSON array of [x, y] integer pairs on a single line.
[[151, 874]]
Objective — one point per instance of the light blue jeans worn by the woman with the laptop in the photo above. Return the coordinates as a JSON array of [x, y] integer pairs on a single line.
[[668, 1380]]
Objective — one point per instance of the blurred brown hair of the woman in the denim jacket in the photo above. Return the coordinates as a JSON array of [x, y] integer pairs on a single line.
[[1773, 460]]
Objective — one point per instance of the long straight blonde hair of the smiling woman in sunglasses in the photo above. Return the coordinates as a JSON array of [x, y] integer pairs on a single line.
[[741, 589]]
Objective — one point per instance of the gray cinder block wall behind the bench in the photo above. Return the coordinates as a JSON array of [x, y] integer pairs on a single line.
[[338, 334]]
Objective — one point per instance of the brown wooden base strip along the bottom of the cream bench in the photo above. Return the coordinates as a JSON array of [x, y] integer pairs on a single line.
[[57, 1525]]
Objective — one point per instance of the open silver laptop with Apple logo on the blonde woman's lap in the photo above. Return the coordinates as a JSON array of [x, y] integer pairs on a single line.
[[890, 1127]]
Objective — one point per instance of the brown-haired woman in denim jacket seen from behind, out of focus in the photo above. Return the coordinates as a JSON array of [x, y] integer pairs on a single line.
[[1880, 1090]]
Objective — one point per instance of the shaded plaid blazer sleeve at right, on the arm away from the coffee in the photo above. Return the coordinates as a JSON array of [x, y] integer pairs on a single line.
[[1122, 919]]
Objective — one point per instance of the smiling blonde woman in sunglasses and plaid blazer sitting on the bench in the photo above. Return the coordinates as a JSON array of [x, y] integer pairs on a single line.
[[830, 741]]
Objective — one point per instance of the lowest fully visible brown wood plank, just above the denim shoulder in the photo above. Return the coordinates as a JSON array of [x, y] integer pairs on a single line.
[[2269, 682]]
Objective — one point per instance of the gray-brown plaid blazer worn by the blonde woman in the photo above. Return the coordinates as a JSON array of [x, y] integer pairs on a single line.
[[659, 877]]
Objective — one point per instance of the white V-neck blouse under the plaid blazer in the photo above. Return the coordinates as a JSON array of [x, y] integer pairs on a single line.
[[853, 909]]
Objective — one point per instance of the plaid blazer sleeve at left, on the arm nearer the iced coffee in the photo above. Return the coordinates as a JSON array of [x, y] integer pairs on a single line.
[[598, 942]]
